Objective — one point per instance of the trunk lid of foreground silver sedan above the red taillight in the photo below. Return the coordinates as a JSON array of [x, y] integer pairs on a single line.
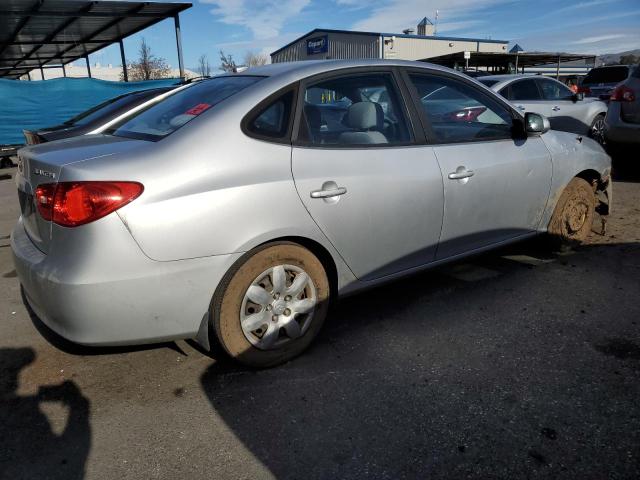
[[43, 163]]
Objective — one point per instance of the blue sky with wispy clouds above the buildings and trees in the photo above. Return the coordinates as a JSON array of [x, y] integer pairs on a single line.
[[238, 26]]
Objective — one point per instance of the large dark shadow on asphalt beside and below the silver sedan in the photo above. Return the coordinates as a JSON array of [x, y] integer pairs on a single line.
[[518, 366]]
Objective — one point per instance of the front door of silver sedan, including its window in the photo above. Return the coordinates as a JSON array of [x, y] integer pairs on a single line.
[[495, 186]]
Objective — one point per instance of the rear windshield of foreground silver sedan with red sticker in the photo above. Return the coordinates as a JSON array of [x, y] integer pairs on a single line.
[[160, 119]]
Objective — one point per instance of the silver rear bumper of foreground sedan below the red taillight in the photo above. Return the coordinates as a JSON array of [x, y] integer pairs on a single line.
[[151, 302]]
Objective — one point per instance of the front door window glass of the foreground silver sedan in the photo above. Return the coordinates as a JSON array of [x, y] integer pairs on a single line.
[[458, 112]]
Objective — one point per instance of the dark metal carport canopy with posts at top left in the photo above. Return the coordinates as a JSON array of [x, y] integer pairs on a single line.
[[38, 33]]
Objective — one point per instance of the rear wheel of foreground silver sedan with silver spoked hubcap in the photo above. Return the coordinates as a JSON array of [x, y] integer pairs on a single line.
[[233, 311]]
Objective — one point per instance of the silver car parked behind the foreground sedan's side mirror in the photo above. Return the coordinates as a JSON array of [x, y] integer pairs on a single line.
[[567, 111]]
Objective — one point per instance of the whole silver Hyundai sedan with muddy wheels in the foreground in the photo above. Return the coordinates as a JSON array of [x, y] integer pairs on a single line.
[[238, 208]]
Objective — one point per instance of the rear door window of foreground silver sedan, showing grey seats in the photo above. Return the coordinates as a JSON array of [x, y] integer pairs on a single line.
[[354, 110]]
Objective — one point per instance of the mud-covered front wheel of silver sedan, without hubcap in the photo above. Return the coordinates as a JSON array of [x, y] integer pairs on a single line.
[[573, 216]]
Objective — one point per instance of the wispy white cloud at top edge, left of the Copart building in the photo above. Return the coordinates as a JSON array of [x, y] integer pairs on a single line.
[[265, 18]]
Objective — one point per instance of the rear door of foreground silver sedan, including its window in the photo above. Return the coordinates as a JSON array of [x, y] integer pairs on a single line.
[[364, 173]]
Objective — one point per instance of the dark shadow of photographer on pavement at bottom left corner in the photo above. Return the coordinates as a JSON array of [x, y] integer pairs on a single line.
[[29, 446]]
